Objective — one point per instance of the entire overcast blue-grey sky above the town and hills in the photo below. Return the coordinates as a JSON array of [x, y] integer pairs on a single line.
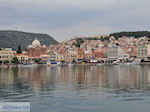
[[65, 19]]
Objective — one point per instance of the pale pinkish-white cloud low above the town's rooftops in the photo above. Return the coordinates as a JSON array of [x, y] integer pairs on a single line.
[[88, 28]]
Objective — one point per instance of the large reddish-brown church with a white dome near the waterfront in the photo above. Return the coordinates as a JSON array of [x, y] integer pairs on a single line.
[[35, 50]]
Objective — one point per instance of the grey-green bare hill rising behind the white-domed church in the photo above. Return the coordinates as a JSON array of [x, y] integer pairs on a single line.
[[13, 39]]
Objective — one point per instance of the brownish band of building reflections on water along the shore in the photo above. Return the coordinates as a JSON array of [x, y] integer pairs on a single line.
[[133, 77]]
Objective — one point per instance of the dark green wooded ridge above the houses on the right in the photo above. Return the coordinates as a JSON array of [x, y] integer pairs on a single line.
[[129, 34]]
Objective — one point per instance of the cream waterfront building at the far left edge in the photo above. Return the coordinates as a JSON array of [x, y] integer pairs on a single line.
[[7, 54]]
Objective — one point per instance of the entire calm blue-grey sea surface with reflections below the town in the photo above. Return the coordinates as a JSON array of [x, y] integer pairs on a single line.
[[79, 88]]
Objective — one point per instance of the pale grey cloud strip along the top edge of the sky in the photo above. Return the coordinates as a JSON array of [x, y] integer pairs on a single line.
[[58, 3]]
